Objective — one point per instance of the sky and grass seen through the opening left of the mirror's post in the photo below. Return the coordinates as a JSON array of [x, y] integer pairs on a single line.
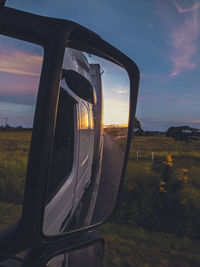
[[20, 67]]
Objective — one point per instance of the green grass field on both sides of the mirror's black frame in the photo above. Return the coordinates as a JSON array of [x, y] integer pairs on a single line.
[[137, 235]]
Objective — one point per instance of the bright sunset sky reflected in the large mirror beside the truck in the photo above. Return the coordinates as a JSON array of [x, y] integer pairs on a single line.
[[115, 86]]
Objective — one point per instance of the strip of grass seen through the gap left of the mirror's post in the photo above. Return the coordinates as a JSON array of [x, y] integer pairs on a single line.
[[14, 149]]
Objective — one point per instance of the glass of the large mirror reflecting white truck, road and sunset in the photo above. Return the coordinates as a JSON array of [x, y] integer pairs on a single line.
[[88, 148]]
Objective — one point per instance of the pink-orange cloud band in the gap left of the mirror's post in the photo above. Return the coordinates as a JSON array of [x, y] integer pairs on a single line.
[[20, 63]]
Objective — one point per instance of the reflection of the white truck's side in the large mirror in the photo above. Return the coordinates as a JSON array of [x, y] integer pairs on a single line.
[[76, 151]]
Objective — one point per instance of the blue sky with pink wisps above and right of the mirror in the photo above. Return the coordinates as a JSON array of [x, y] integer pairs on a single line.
[[161, 36]]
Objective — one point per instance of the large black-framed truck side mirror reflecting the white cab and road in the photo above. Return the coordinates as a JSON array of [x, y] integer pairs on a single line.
[[77, 158]]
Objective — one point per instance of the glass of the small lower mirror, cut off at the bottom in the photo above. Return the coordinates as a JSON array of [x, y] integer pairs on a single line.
[[89, 256]]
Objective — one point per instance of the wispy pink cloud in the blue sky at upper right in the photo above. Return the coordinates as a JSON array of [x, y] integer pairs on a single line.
[[184, 39]]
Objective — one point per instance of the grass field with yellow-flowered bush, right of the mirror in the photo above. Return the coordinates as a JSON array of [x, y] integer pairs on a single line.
[[158, 221]]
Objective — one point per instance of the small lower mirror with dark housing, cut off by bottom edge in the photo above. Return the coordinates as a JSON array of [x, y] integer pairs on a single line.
[[89, 255]]
